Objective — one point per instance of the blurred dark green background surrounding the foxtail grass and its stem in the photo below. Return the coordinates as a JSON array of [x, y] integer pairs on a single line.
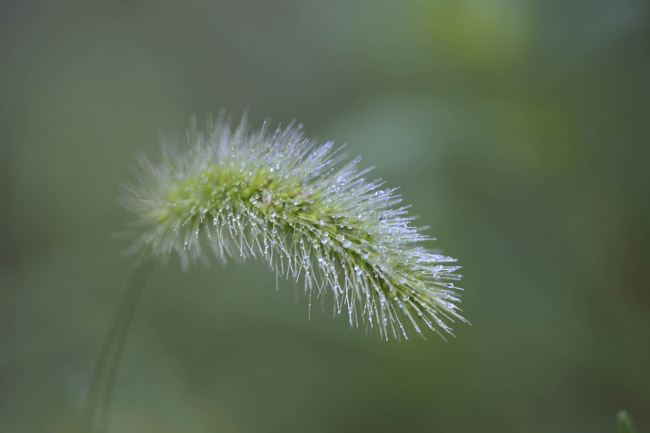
[[517, 129]]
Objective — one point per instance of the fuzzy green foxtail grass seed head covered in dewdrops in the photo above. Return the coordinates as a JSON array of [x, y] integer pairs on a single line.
[[279, 196]]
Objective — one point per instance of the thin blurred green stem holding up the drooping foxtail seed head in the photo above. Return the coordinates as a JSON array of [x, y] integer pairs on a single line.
[[105, 374]]
